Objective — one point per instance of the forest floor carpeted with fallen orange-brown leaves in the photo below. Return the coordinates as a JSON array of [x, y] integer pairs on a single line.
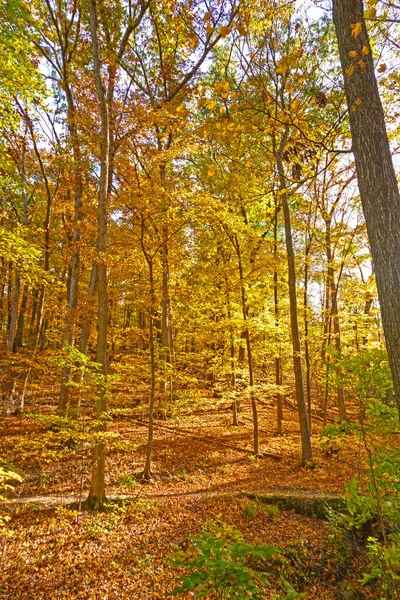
[[203, 468]]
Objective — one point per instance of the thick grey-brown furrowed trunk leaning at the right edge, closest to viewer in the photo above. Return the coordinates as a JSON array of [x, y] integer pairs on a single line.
[[377, 182]]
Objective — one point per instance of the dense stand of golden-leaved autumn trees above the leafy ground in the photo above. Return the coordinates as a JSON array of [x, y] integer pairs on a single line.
[[183, 171]]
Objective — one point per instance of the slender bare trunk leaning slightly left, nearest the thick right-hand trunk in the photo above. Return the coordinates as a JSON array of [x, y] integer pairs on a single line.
[[298, 371]]
